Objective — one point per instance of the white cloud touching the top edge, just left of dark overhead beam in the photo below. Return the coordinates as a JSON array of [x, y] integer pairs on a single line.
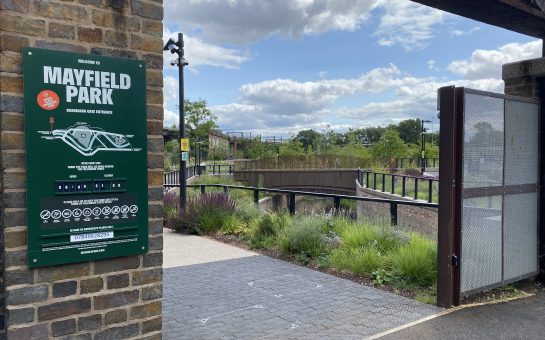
[[407, 24]]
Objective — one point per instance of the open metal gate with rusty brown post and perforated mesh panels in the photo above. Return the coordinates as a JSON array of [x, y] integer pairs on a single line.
[[488, 192]]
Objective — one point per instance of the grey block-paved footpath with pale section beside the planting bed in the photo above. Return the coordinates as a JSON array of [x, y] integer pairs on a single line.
[[249, 296]]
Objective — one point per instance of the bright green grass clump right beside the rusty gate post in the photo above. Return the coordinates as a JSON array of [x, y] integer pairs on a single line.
[[415, 263]]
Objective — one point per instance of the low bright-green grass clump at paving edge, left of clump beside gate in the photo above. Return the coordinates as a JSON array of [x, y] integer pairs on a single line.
[[361, 261]]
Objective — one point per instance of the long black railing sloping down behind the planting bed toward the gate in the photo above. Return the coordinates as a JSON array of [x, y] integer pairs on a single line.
[[292, 195]]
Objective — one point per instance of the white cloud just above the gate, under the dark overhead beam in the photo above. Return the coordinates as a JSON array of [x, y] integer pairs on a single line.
[[488, 63]]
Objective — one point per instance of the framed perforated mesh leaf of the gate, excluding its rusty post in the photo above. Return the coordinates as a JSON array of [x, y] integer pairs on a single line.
[[499, 191]]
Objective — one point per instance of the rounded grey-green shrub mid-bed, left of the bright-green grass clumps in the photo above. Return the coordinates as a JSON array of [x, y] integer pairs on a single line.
[[303, 236]]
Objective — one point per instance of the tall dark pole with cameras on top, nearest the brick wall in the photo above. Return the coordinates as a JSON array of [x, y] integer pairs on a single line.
[[178, 48]]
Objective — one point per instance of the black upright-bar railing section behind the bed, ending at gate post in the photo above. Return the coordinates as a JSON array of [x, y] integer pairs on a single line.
[[402, 185]]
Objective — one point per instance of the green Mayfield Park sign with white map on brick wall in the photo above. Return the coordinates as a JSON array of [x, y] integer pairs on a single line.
[[86, 157]]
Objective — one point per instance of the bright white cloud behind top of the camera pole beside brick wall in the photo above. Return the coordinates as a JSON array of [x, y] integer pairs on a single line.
[[199, 53]]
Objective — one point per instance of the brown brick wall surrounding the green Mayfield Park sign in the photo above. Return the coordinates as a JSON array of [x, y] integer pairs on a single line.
[[110, 299]]
